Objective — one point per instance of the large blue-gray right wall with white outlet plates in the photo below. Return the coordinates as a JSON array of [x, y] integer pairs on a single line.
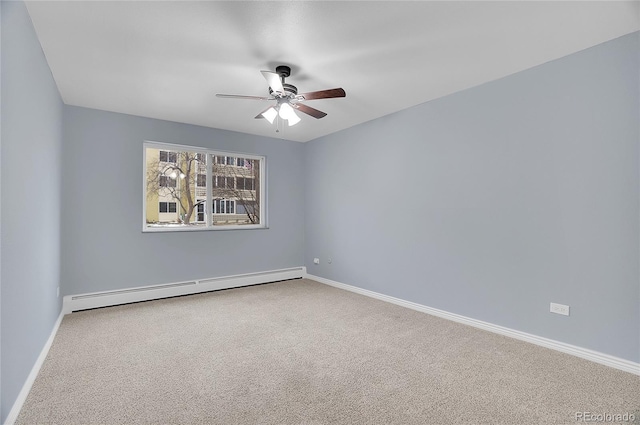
[[495, 201]]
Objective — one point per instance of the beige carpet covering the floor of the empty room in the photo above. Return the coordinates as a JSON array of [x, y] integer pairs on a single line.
[[299, 352]]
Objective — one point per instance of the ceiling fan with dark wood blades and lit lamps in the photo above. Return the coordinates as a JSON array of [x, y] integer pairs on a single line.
[[287, 98]]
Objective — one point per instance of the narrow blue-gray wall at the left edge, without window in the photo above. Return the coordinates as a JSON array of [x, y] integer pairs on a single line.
[[30, 201]]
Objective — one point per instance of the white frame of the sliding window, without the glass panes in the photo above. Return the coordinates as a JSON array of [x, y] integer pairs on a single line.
[[209, 168]]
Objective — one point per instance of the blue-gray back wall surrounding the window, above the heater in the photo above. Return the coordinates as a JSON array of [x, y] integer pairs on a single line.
[[103, 246]]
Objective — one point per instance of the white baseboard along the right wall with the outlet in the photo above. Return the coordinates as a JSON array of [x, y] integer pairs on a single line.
[[584, 353]]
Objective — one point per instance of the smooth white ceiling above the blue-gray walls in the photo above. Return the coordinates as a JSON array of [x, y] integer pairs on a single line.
[[168, 59]]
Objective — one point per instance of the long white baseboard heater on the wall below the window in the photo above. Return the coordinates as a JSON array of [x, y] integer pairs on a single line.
[[79, 302]]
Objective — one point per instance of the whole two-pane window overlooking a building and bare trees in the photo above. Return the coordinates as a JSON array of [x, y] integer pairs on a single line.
[[189, 188]]
